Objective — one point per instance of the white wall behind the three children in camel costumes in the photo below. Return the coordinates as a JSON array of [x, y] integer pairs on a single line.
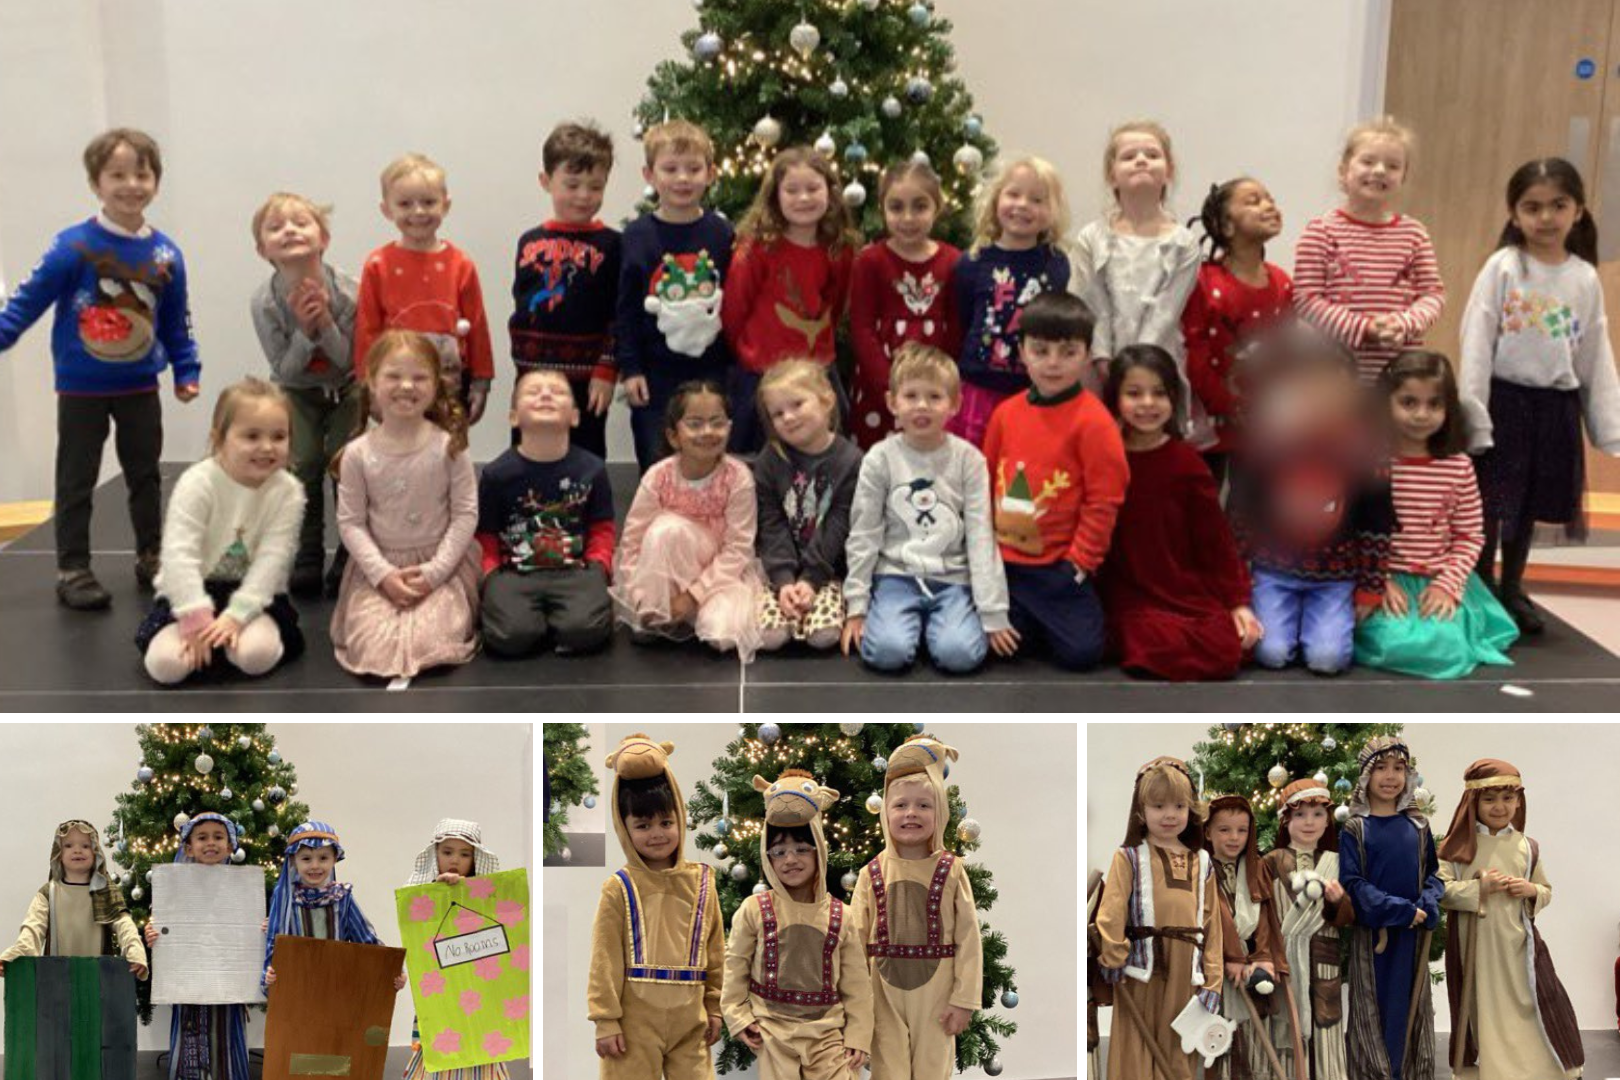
[[1018, 781]]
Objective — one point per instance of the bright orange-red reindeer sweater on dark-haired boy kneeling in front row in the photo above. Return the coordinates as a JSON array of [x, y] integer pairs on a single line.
[[1059, 477]]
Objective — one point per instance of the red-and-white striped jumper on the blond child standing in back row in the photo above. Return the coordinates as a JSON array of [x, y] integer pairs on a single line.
[[1349, 271]]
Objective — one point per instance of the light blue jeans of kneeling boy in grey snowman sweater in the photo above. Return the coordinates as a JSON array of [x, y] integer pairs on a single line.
[[906, 611]]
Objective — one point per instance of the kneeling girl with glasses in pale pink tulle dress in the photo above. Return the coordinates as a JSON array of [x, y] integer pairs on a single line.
[[686, 559]]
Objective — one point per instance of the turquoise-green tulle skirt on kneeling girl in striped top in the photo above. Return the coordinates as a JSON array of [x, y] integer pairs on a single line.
[[1438, 648]]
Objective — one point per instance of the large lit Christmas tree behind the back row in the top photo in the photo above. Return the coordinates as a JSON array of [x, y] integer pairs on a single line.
[[868, 83]]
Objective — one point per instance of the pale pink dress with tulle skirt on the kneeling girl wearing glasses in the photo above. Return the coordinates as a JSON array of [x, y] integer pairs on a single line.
[[693, 537]]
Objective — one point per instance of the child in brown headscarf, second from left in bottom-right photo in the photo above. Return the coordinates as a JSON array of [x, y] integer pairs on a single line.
[[1251, 935]]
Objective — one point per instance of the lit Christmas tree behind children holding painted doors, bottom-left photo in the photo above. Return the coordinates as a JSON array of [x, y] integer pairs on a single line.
[[232, 770]]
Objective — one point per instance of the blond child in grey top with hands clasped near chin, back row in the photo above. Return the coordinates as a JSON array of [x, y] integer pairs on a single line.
[[305, 320]]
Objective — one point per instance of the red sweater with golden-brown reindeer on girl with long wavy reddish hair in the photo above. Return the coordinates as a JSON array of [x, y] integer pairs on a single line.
[[785, 300]]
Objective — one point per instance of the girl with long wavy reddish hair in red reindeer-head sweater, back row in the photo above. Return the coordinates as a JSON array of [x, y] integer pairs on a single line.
[[790, 281]]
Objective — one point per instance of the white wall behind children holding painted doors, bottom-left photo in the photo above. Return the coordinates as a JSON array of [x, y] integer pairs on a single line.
[[383, 786]]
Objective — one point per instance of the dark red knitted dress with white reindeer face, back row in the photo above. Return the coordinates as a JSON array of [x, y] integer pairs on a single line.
[[892, 302]]
